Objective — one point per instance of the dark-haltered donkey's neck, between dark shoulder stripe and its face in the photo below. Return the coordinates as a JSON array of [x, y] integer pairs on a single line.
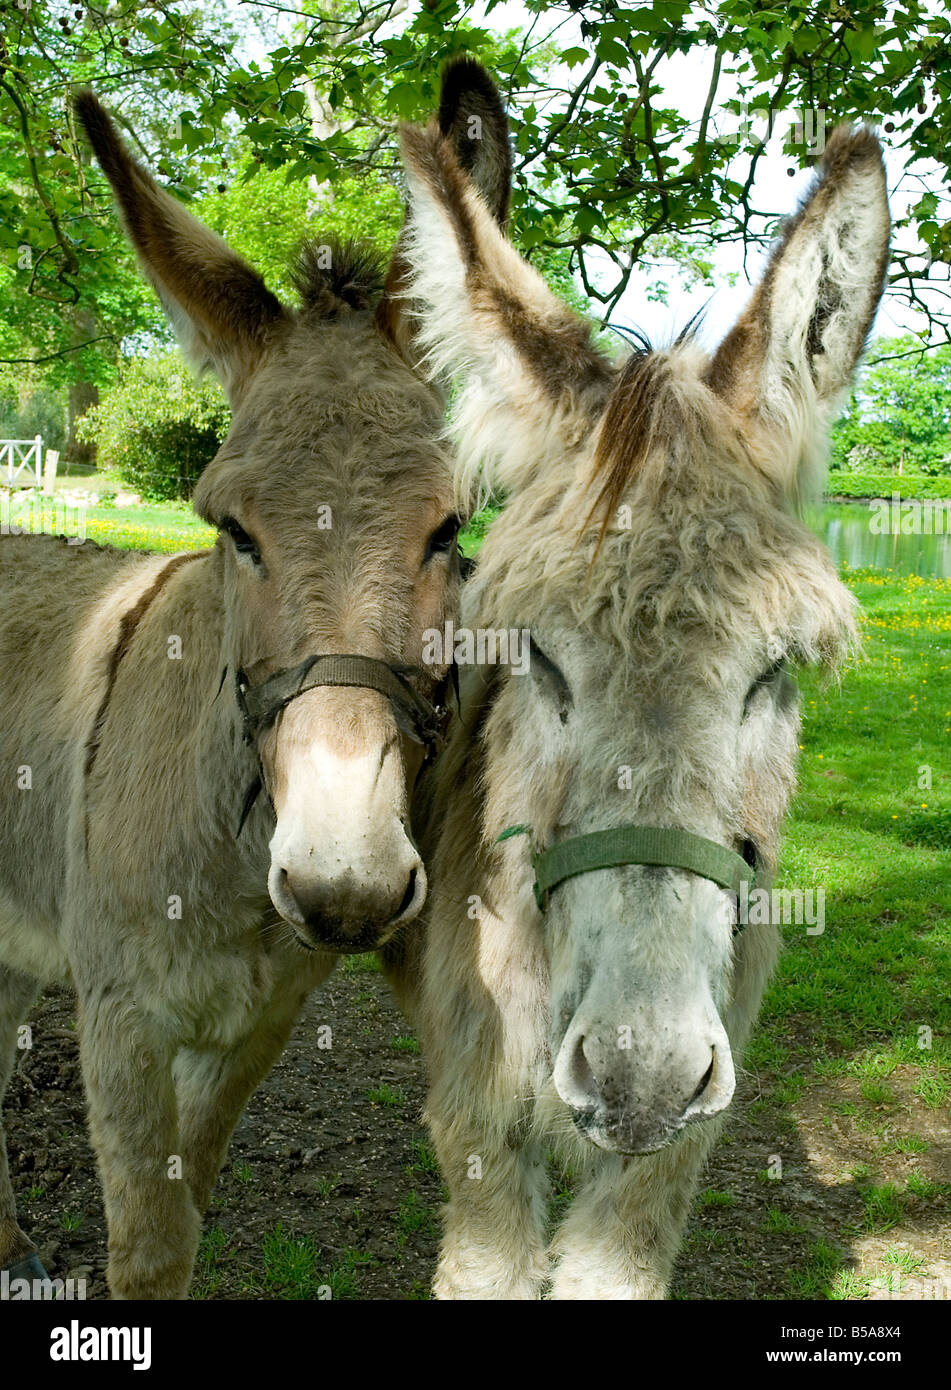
[[166, 767]]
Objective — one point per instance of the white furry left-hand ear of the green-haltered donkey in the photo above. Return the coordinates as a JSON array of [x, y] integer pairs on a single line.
[[532, 384]]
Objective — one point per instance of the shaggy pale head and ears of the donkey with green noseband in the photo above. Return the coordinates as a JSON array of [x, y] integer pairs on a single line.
[[651, 547]]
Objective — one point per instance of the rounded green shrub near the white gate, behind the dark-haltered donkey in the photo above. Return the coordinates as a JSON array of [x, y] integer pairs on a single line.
[[158, 427]]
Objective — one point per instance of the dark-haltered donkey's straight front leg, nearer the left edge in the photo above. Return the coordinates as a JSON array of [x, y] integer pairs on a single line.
[[154, 1225]]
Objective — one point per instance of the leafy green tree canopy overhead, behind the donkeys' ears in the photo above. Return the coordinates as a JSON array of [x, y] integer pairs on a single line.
[[273, 117]]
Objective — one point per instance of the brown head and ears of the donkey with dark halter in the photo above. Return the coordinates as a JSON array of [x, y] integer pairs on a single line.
[[333, 498]]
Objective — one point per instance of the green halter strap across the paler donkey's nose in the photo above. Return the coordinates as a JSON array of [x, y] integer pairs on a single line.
[[635, 846]]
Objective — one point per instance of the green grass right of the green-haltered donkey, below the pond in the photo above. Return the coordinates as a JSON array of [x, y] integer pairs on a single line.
[[872, 989]]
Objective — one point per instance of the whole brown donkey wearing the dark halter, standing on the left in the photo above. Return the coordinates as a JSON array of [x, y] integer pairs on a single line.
[[147, 698]]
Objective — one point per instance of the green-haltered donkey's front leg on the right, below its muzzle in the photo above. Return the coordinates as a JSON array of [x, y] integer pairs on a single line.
[[624, 1231]]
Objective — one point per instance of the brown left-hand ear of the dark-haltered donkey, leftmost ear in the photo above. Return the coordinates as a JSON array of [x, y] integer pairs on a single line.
[[219, 308]]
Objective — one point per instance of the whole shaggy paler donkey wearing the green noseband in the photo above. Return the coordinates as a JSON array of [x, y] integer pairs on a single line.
[[636, 779]]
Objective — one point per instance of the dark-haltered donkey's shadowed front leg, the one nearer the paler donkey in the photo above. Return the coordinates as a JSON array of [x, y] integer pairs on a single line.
[[215, 1086]]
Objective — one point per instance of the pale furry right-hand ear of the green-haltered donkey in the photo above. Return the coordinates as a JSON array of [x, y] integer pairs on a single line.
[[790, 358]]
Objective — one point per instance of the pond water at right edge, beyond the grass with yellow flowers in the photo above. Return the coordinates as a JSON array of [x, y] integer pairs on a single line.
[[847, 530]]
